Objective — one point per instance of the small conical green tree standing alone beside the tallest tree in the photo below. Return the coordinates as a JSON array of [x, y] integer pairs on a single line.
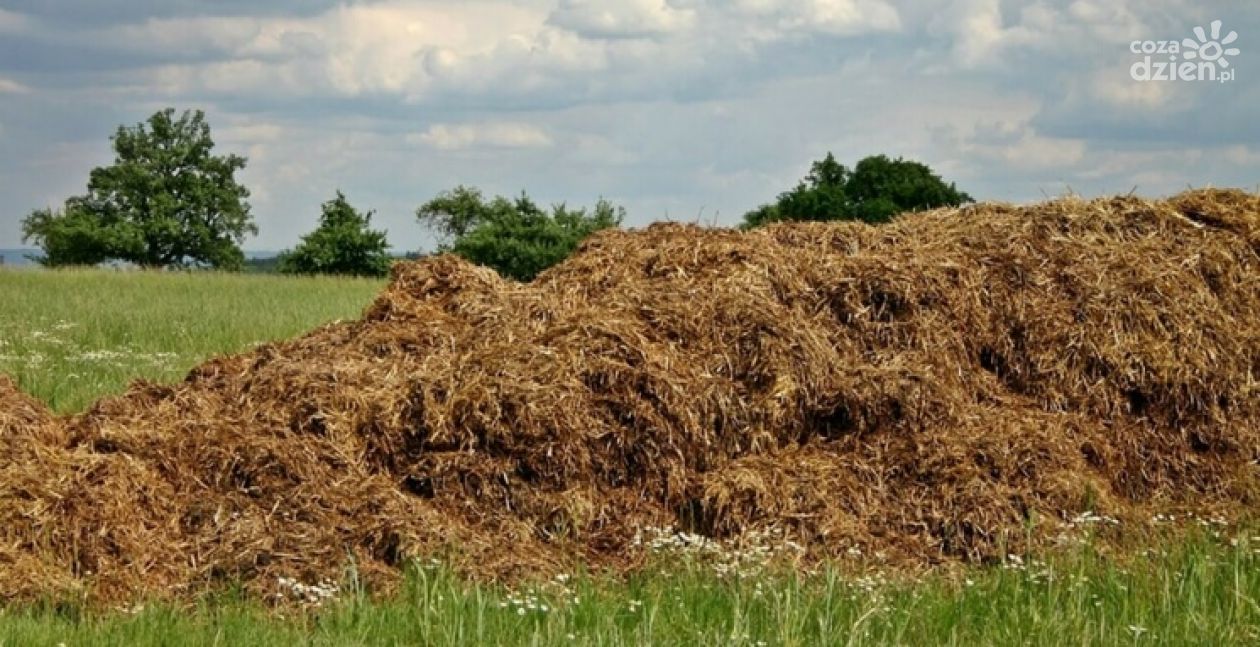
[[343, 244]]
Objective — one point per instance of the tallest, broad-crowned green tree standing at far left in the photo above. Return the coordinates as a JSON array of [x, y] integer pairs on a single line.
[[166, 202]]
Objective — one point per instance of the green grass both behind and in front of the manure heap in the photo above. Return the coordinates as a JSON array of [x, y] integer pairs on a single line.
[[71, 337]]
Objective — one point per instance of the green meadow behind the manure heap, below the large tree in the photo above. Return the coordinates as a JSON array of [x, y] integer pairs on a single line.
[[70, 337]]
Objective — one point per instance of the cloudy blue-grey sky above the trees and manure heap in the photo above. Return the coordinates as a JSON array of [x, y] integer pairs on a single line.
[[685, 110]]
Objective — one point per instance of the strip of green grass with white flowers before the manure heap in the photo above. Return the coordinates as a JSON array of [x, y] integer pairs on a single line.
[[1204, 593]]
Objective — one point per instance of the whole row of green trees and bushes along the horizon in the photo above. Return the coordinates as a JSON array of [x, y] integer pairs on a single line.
[[168, 201]]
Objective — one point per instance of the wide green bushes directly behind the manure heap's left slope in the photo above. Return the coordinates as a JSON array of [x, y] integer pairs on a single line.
[[515, 236]]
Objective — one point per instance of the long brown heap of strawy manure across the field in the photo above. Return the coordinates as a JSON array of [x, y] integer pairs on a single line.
[[922, 389]]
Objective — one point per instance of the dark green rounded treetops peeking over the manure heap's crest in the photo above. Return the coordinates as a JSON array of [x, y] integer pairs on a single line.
[[875, 191]]
